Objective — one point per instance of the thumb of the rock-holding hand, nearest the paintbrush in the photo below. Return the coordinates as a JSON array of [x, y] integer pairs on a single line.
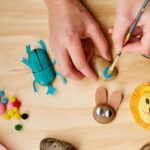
[[96, 35]]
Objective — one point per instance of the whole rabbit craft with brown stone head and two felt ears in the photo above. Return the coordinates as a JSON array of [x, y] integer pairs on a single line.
[[106, 108]]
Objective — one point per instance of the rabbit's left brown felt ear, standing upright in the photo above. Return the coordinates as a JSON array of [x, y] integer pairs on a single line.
[[101, 96]]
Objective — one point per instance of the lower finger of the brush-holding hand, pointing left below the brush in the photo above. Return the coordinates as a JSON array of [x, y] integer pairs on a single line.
[[139, 47]]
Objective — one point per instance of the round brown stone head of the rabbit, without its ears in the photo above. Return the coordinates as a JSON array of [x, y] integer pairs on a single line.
[[104, 113]]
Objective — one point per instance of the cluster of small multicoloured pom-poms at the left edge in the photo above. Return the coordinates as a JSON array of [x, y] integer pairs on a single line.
[[10, 108]]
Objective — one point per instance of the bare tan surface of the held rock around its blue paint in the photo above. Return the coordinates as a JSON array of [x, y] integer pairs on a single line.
[[99, 65]]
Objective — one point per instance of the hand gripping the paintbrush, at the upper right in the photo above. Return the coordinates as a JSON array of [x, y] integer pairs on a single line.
[[126, 13]]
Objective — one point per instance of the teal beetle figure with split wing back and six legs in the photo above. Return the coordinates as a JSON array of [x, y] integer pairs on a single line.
[[42, 67]]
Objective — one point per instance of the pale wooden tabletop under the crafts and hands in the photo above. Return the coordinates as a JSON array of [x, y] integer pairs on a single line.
[[68, 114]]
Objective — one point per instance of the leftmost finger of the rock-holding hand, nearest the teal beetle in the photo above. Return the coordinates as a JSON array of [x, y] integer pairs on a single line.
[[65, 64]]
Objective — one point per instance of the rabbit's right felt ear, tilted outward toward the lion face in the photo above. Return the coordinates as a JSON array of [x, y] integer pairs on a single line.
[[115, 99]]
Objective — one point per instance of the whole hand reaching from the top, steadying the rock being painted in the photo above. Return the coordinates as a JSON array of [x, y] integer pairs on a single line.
[[70, 24]]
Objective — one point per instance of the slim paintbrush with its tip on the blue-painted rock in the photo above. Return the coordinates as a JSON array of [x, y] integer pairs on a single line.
[[127, 37]]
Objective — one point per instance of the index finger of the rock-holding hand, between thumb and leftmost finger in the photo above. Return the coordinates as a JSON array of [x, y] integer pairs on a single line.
[[78, 58]]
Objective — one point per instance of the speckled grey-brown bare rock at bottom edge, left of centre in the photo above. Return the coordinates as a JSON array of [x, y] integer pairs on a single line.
[[53, 144]]
